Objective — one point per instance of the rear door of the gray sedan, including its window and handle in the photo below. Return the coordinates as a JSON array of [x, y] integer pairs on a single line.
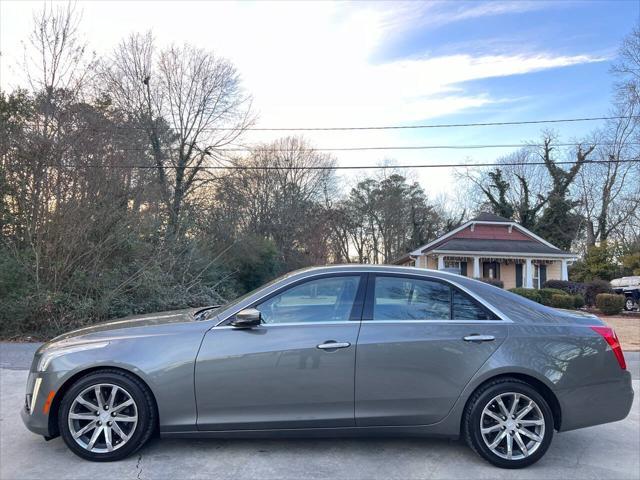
[[420, 343]]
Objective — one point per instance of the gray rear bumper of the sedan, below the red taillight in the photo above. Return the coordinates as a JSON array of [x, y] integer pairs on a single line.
[[597, 403]]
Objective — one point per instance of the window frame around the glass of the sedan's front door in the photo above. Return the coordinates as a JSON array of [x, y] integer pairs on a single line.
[[354, 316]]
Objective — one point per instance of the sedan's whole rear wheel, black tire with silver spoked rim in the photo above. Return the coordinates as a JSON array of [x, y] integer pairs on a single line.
[[508, 423]]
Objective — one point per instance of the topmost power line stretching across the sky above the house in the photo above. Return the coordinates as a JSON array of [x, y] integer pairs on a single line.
[[402, 127]]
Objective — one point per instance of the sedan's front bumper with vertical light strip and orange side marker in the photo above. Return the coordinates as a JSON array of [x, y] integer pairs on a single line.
[[40, 396]]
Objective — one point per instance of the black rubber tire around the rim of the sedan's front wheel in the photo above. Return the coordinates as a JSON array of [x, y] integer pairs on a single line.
[[146, 411]]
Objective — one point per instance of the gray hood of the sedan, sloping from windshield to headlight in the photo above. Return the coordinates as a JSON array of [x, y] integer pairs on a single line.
[[121, 325]]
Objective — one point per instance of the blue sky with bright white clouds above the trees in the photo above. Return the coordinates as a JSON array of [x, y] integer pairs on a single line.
[[327, 64]]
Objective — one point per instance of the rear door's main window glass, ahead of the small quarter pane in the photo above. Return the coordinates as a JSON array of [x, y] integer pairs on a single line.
[[398, 298]]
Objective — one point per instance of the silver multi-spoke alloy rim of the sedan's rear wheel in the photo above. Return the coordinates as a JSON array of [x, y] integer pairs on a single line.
[[512, 426]]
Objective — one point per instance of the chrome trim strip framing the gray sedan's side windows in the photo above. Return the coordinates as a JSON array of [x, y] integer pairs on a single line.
[[423, 273]]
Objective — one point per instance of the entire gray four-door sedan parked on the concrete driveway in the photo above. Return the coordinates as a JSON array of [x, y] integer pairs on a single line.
[[344, 350]]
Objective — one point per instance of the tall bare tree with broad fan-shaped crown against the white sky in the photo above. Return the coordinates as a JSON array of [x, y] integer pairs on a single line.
[[190, 104]]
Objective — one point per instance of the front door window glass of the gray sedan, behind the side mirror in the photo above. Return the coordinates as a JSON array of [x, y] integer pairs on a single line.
[[322, 300]]
